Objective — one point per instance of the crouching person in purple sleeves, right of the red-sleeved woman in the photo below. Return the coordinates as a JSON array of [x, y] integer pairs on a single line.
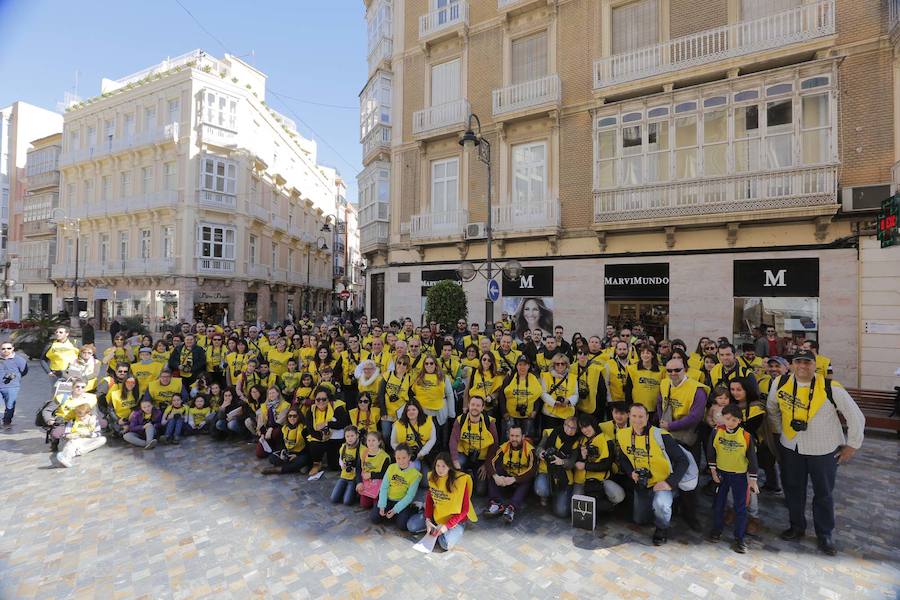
[[514, 467]]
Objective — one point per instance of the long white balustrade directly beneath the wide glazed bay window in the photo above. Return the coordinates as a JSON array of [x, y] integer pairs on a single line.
[[753, 196]]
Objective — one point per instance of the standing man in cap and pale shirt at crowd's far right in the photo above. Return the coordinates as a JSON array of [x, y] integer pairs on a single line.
[[803, 407]]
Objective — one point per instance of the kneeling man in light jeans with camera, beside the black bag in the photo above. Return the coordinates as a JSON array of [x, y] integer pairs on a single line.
[[655, 462]]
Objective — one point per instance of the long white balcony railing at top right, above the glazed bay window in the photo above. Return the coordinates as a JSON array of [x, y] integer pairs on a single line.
[[800, 24]]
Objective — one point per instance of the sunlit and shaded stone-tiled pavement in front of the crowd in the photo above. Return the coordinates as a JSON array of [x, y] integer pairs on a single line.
[[197, 520]]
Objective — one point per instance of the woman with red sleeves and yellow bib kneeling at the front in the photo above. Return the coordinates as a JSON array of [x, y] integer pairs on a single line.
[[448, 504]]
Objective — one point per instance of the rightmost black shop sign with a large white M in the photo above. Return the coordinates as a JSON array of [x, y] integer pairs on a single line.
[[798, 277]]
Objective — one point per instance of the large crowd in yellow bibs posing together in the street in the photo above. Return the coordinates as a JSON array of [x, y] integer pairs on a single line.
[[414, 422]]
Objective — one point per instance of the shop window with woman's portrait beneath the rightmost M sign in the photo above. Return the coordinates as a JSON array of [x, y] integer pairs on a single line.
[[795, 318]]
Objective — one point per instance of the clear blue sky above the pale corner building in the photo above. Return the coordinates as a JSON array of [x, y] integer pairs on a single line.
[[311, 50]]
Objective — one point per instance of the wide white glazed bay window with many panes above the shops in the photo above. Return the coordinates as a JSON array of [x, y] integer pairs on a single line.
[[738, 129]]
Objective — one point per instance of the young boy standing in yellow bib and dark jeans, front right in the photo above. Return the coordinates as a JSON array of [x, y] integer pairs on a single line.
[[732, 464]]
